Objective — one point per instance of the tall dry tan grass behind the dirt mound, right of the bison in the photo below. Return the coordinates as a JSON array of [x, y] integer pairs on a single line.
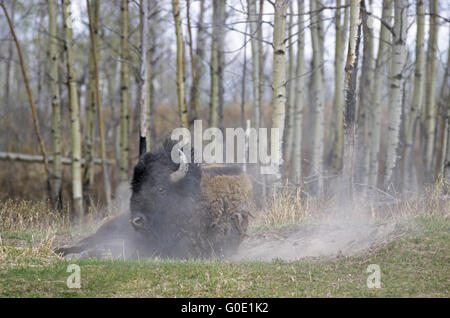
[[290, 207]]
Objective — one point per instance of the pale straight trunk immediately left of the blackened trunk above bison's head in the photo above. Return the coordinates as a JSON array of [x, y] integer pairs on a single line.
[[124, 94]]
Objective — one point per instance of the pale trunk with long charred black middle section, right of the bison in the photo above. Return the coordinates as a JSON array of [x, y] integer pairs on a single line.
[[350, 92]]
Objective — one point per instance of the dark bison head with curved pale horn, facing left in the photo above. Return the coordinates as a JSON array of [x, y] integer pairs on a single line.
[[164, 195]]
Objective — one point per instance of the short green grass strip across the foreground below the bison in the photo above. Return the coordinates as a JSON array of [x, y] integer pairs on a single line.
[[417, 265]]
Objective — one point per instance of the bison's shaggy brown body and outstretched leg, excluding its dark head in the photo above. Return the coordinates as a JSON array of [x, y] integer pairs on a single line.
[[217, 230]]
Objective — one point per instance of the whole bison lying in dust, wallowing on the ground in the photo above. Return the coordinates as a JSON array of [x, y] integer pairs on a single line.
[[179, 210]]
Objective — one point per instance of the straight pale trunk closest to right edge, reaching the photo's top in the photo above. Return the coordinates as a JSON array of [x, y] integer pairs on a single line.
[[430, 90]]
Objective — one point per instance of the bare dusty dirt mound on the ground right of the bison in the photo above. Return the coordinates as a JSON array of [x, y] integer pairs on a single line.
[[328, 239]]
